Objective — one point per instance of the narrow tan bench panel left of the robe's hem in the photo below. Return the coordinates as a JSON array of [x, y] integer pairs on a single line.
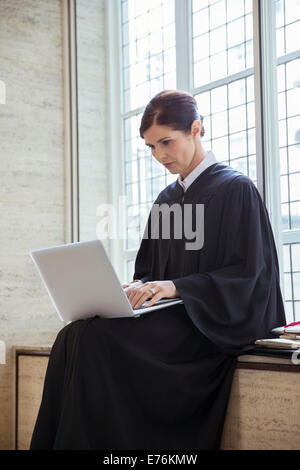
[[31, 374]]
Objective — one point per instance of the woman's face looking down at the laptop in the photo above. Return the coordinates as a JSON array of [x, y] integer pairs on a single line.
[[173, 149]]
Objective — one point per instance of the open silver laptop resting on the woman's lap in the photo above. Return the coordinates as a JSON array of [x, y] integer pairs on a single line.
[[82, 282]]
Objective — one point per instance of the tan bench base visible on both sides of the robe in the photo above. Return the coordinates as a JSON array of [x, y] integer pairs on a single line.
[[263, 410]]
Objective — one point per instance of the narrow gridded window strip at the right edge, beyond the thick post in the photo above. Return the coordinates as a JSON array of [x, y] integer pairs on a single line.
[[288, 82]]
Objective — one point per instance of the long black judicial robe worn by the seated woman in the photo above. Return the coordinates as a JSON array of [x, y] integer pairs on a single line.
[[162, 380]]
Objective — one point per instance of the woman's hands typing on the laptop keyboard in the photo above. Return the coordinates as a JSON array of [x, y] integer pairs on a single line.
[[138, 293]]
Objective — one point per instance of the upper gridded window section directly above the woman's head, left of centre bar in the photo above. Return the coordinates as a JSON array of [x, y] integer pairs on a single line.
[[147, 34]]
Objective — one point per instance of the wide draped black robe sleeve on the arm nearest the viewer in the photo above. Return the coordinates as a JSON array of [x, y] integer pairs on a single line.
[[240, 300]]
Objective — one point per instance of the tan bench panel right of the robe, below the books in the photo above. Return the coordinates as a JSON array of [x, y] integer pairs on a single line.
[[263, 411]]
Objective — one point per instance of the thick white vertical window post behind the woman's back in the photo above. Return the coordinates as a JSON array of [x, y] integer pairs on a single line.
[[266, 88]]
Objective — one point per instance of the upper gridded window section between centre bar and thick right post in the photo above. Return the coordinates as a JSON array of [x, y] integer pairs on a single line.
[[222, 39]]
